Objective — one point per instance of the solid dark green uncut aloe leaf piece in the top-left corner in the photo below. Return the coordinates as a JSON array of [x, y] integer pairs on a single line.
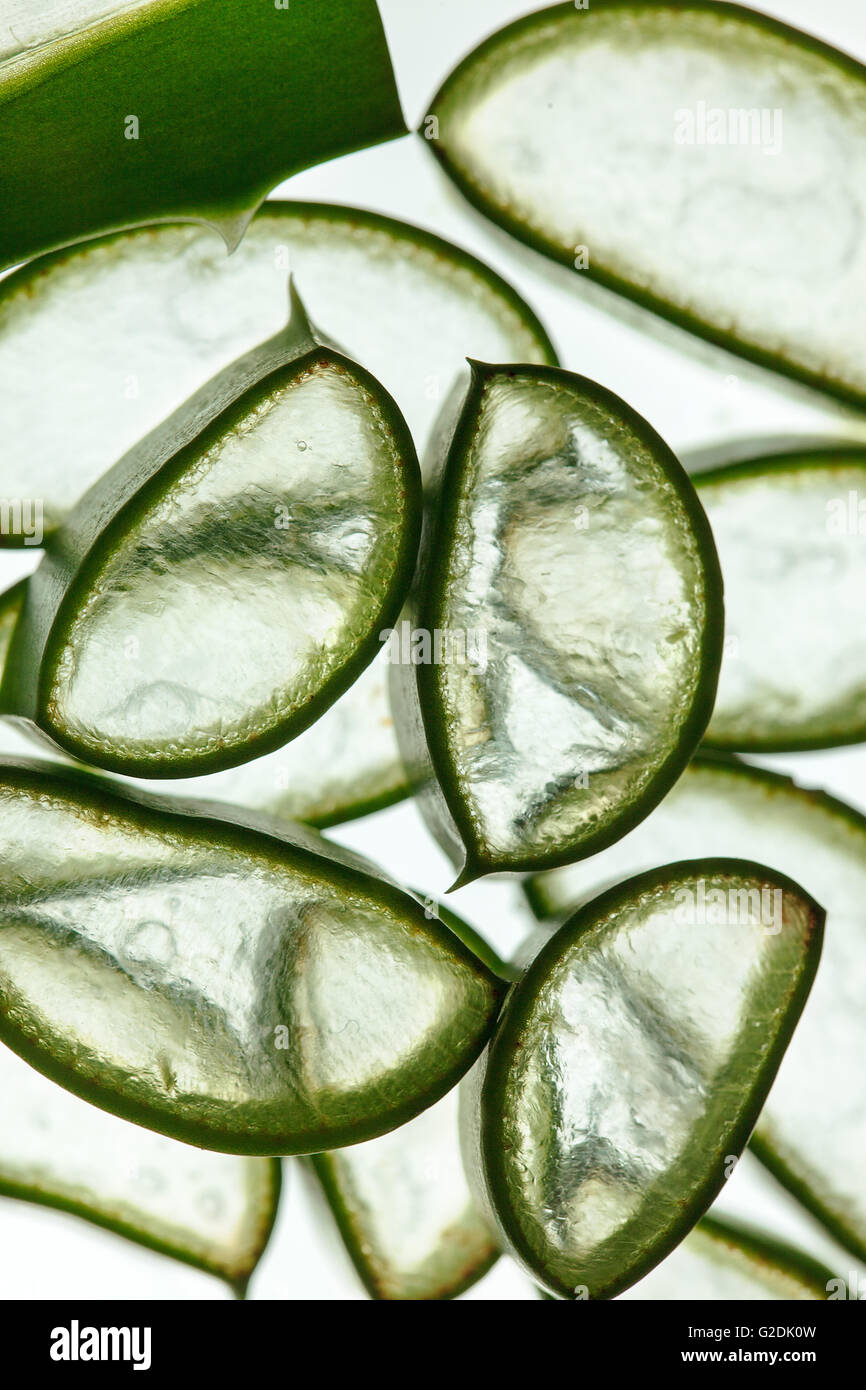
[[101, 127]]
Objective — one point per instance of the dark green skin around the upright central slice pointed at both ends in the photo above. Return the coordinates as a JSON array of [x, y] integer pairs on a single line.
[[415, 697]]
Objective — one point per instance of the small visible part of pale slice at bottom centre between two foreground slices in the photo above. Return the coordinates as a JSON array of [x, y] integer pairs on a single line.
[[405, 1211]]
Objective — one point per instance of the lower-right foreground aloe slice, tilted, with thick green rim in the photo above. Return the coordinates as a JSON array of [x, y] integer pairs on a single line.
[[632, 1063]]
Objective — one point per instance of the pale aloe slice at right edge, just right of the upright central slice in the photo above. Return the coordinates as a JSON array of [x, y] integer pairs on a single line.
[[792, 536]]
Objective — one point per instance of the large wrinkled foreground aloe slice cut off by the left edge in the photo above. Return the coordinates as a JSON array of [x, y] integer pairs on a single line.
[[230, 985]]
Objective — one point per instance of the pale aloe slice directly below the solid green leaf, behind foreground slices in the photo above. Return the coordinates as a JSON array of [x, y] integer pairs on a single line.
[[408, 305]]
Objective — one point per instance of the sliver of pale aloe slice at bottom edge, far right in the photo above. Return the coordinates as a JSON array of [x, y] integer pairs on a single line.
[[724, 1261]]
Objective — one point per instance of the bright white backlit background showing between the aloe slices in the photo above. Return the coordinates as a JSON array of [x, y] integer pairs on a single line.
[[696, 397]]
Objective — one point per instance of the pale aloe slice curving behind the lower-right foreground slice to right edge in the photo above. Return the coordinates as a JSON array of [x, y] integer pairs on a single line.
[[812, 1132]]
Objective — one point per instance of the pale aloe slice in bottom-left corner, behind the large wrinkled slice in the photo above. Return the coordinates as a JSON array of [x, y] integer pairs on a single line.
[[213, 1211]]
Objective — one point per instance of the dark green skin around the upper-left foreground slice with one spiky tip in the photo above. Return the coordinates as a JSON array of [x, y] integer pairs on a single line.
[[124, 496]]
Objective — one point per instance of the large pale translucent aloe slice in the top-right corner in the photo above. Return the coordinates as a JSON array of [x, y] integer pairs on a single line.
[[682, 155]]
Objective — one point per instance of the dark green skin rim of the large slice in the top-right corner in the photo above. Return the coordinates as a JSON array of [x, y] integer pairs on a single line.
[[829, 382]]
